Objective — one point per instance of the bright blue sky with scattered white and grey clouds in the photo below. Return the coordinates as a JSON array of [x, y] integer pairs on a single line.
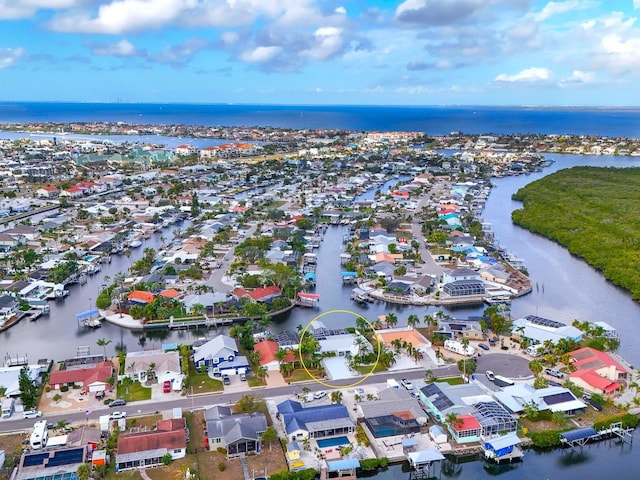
[[364, 52]]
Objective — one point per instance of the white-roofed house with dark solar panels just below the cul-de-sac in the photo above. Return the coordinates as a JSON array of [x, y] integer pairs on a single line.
[[516, 398]]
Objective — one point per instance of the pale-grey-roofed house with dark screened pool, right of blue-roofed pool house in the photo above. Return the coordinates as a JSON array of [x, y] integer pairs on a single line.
[[395, 412]]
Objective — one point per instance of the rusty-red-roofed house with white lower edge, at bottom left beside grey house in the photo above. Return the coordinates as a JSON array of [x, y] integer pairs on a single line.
[[147, 449]]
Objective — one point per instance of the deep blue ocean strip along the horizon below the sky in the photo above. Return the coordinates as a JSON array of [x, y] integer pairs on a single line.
[[434, 120]]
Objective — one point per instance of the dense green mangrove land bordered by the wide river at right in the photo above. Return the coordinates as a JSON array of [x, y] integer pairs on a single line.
[[592, 212]]
